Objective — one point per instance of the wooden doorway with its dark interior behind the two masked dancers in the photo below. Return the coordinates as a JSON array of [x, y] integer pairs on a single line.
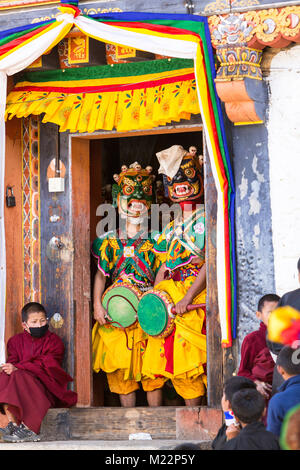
[[95, 157]]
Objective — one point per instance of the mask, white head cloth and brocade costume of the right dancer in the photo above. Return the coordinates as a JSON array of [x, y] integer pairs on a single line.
[[181, 356]]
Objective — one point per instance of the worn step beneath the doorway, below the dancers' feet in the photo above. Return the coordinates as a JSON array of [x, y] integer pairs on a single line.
[[118, 424]]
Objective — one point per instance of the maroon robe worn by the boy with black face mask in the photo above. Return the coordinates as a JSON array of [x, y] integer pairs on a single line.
[[40, 382]]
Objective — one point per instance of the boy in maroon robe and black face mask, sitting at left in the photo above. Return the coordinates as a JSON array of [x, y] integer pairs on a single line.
[[32, 379]]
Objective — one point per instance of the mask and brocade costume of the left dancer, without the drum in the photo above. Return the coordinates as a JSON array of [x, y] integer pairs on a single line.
[[132, 261]]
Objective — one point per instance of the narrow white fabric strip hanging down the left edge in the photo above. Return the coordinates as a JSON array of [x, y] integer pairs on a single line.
[[3, 85]]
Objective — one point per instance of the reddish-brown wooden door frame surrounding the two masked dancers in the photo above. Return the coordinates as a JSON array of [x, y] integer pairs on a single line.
[[81, 268]]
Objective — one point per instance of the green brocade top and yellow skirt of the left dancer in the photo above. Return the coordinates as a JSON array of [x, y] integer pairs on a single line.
[[114, 350]]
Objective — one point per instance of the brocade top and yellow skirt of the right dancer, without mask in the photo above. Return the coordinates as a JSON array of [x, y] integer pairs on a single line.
[[182, 355]]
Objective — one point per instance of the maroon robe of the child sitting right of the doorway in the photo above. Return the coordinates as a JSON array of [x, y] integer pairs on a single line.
[[256, 360]]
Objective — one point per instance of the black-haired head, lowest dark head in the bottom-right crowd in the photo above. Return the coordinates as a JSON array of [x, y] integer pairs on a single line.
[[248, 406]]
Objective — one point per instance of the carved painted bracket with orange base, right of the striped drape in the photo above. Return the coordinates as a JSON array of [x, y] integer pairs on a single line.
[[239, 81]]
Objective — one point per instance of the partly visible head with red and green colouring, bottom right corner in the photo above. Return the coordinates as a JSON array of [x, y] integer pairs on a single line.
[[290, 431]]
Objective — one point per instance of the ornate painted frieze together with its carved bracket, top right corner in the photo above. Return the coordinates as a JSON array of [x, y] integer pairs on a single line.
[[239, 40]]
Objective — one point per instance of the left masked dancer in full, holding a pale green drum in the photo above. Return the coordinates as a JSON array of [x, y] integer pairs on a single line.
[[127, 259]]
